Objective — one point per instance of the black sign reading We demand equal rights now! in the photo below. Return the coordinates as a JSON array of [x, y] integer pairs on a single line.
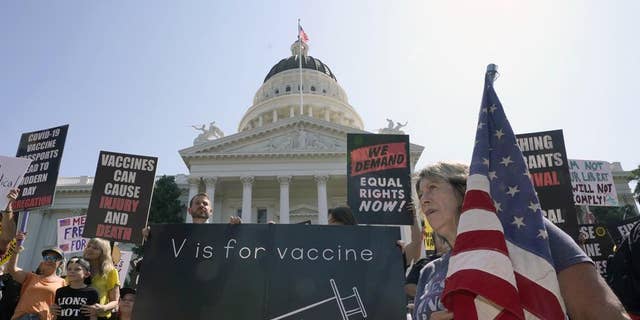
[[379, 178]]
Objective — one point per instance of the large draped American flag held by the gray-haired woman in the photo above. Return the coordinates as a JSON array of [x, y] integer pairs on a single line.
[[501, 265]]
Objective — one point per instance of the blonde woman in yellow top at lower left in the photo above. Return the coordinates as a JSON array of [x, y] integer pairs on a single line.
[[104, 277]]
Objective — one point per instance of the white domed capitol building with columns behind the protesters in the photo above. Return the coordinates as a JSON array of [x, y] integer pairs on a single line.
[[287, 163]]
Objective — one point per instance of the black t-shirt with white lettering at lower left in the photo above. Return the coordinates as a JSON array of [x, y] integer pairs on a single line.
[[70, 300]]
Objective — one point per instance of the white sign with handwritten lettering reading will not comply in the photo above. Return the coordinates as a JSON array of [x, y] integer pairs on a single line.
[[592, 183]]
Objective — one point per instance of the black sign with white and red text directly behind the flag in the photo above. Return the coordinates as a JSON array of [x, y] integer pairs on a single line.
[[546, 157]]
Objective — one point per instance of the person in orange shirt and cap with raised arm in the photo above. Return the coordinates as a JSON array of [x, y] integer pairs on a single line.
[[38, 290]]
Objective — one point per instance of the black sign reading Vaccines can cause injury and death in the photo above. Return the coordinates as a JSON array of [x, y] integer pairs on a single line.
[[121, 196]]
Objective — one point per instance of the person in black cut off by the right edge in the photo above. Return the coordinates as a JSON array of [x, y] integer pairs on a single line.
[[623, 272]]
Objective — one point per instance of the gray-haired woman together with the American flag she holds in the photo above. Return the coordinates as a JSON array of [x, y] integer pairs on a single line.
[[507, 261]]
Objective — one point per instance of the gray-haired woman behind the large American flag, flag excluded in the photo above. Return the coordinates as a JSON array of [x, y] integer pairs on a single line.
[[441, 188]]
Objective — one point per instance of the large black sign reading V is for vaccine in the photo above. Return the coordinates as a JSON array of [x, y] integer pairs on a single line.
[[258, 271]]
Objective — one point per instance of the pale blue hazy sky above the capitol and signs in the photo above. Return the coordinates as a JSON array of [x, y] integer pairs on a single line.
[[133, 76]]
